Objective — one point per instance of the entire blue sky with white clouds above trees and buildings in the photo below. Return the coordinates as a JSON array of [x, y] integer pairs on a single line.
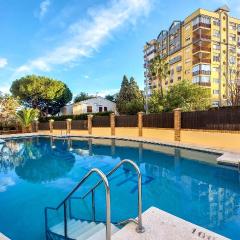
[[88, 44]]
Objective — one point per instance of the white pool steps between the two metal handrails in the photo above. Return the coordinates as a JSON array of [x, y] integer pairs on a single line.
[[82, 230]]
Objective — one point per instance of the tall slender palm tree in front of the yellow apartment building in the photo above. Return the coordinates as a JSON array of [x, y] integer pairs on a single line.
[[160, 69]]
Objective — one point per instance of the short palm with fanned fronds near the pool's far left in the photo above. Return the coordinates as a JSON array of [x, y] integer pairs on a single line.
[[26, 117]]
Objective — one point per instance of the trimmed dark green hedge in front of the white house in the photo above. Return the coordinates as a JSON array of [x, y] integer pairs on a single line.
[[73, 117]]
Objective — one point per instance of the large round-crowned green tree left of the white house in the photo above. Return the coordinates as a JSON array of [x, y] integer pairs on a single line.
[[42, 93]]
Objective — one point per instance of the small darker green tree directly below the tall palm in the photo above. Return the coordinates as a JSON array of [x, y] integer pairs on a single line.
[[156, 102]]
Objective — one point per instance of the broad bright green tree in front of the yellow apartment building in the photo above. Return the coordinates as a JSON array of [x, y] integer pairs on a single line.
[[188, 97]]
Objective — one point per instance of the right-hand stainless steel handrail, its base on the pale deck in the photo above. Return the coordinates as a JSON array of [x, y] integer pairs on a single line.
[[140, 228]]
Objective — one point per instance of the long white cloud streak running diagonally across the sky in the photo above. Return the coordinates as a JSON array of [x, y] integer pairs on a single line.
[[85, 36]]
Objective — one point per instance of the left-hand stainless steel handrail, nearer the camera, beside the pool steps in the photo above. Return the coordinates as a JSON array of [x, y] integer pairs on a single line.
[[108, 202]]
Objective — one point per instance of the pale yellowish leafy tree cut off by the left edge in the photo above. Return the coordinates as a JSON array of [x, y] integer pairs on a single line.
[[8, 108]]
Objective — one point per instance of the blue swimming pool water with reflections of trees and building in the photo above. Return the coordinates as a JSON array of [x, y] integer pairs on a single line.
[[39, 172]]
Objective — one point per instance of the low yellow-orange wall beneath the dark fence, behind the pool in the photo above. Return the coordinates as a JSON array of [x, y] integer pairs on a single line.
[[227, 141]]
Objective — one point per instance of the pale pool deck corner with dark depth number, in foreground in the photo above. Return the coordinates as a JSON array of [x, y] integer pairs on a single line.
[[162, 225]]
